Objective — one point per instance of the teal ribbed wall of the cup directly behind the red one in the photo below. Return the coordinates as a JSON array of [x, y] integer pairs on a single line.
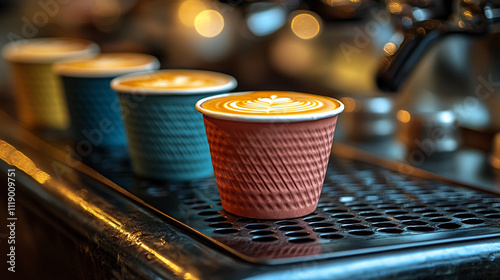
[[166, 136]]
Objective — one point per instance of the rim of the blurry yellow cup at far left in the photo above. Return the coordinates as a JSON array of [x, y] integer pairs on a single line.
[[10, 52]]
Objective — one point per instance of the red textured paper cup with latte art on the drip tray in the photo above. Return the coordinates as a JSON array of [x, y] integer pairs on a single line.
[[270, 150]]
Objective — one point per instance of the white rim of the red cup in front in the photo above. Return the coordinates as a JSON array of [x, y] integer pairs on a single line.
[[263, 118]]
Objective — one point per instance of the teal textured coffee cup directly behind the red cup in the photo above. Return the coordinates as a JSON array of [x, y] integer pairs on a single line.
[[166, 134]]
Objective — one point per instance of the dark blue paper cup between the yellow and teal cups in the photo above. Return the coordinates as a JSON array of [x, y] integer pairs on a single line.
[[93, 106]]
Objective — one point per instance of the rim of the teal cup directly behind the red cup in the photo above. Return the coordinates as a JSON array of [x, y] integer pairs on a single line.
[[116, 86]]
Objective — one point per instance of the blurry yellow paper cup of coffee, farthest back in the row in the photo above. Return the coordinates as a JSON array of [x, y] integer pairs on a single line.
[[37, 90]]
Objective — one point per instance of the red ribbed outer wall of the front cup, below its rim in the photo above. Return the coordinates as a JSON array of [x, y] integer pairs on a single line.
[[270, 170]]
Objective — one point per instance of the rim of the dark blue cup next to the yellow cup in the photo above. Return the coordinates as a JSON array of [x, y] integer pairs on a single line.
[[66, 69]]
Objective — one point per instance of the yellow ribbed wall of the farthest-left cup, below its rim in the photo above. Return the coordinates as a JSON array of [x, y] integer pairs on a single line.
[[39, 97]]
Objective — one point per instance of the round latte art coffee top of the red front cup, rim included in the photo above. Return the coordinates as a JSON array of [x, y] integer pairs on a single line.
[[269, 104]]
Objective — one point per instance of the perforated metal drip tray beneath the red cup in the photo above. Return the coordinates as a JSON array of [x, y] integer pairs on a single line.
[[364, 208]]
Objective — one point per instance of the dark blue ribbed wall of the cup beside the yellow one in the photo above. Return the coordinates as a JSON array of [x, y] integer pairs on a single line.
[[95, 111]]
